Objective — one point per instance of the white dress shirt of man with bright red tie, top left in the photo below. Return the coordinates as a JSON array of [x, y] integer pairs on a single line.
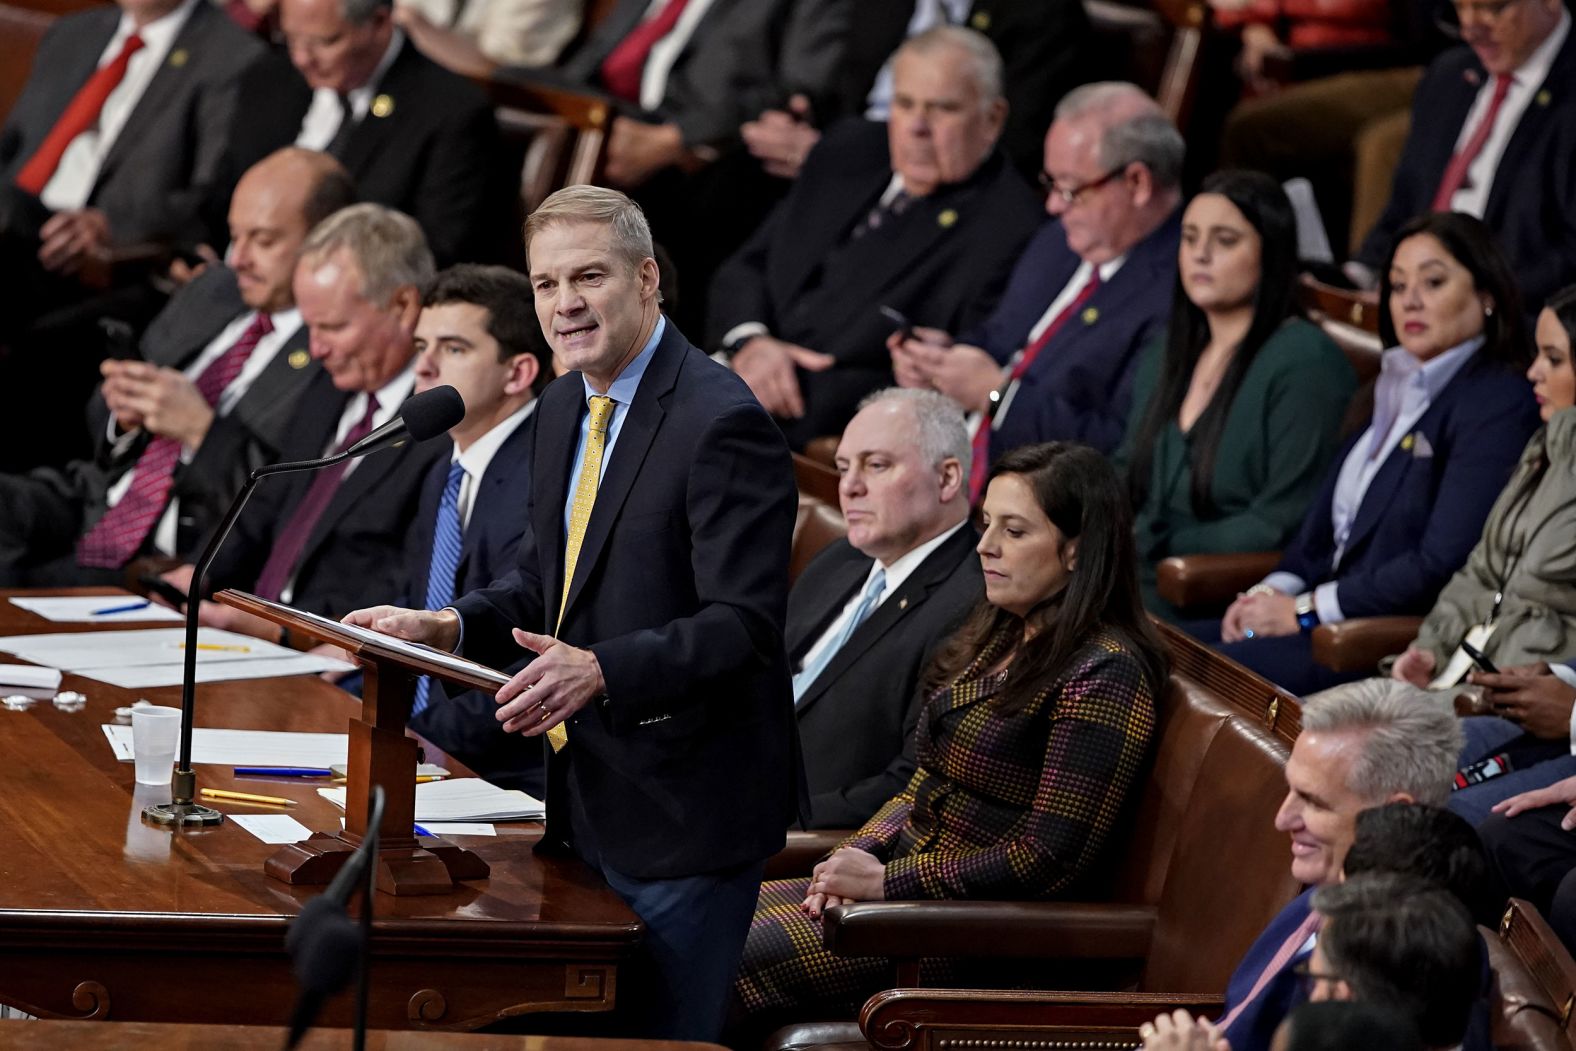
[[73, 182]]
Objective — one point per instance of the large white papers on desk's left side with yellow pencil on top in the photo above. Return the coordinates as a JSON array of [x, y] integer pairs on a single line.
[[155, 656]]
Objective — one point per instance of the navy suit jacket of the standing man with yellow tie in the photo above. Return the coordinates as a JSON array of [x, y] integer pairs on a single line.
[[689, 765]]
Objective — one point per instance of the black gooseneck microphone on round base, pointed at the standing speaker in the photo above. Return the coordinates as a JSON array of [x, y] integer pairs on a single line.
[[423, 417]]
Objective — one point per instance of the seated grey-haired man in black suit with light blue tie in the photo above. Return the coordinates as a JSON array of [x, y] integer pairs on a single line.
[[866, 617]]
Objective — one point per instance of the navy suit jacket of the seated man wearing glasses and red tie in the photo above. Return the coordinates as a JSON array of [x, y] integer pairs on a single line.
[[1082, 385]]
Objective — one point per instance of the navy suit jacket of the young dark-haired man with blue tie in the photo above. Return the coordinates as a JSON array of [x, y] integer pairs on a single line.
[[466, 724]]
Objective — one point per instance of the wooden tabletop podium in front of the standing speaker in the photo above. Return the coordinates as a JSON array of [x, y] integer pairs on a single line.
[[381, 754]]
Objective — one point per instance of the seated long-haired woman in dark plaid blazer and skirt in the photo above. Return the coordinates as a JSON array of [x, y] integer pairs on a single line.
[[1038, 722]]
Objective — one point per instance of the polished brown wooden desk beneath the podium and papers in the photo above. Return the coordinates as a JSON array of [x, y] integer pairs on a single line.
[[97, 907]]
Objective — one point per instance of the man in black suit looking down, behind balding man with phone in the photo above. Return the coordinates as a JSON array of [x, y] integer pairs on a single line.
[[415, 136]]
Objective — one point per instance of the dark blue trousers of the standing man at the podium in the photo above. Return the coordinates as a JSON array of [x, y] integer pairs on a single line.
[[696, 930]]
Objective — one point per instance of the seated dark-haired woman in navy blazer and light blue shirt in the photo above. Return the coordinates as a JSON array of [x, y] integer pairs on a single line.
[[1408, 497]]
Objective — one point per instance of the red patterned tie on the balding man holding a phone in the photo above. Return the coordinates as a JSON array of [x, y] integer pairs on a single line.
[[117, 537]]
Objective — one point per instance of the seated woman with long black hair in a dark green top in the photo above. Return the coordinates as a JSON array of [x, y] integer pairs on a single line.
[[1244, 401]]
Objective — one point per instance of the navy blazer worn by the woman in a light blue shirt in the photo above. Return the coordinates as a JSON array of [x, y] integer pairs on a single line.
[[1422, 513]]
